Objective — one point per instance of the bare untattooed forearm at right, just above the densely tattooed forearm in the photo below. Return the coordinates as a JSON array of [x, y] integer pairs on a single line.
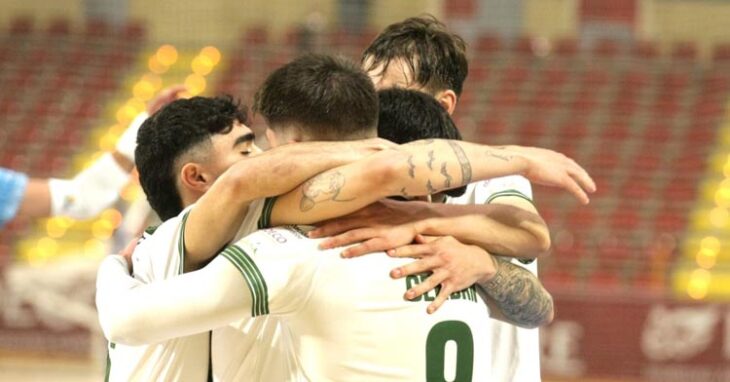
[[500, 229]]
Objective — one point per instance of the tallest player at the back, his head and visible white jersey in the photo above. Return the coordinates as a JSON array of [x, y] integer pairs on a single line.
[[420, 53]]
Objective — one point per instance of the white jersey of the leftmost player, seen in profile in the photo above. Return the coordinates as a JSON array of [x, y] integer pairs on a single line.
[[160, 256]]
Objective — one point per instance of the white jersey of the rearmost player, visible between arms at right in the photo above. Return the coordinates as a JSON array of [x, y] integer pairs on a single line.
[[515, 350]]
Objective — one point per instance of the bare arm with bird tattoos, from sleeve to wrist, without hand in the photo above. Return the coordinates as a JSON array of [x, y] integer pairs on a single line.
[[422, 168]]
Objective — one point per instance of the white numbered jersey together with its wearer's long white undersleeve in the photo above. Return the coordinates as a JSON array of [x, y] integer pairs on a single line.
[[347, 317]]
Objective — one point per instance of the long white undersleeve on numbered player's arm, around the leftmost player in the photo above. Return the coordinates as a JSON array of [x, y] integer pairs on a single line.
[[133, 313]]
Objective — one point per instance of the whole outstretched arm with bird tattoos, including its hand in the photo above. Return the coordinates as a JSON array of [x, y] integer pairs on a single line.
[[422, 168]]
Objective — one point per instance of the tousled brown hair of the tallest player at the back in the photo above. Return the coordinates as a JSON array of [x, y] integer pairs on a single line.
[[436, 57]]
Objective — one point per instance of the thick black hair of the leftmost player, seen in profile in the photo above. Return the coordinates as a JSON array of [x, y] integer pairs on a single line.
[[173, 131]]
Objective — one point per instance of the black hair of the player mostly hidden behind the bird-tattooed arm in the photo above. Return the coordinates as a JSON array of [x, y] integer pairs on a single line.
[[410, 115]]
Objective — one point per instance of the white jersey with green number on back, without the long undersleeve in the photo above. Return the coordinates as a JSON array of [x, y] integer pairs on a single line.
[[348, 320]]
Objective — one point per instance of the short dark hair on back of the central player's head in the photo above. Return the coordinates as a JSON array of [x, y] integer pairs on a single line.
[[330, 98]]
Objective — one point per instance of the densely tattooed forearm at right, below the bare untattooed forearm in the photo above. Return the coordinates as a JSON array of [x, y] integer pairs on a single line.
[[516, 296]]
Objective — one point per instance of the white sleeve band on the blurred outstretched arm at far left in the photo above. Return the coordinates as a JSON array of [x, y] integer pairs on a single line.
[[90, 192]]
